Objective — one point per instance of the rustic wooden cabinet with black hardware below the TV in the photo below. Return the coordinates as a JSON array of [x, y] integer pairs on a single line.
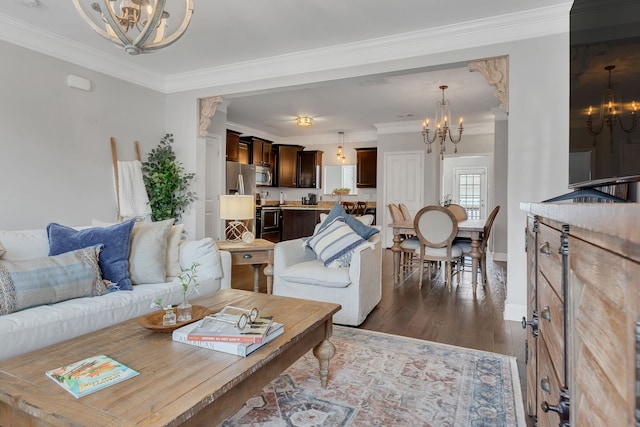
[[583, 312]]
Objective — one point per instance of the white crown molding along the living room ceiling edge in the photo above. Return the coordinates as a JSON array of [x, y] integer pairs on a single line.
[[498, 29]]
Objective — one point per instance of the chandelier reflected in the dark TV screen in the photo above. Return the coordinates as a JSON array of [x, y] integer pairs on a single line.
[[611, 111]]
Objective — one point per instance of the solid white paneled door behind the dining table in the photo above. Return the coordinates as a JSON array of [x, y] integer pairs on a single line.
[[403, 183]]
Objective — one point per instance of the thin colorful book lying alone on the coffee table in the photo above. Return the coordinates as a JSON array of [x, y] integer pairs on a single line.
[[91, 374]]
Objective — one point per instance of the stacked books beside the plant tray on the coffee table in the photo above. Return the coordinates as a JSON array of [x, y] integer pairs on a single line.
[[214, 329]]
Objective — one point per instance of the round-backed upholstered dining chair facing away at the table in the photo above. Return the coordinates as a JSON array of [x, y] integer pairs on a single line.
[[436, 228]]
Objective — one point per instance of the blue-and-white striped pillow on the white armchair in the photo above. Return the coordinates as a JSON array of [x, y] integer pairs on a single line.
[[335, 243]]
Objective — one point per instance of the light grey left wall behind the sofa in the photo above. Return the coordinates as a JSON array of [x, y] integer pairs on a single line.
[[55, 156]]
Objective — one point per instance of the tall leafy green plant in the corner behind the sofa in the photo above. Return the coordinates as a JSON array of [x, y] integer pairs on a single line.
[[167, 182]]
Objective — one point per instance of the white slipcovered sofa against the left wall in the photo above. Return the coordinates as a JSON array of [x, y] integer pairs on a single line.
[[39, 326]]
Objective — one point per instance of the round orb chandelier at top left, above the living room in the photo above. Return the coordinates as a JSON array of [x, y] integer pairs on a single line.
[[139, 26]]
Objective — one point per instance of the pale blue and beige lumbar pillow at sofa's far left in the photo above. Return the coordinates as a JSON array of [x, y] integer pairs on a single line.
[[33, 282]]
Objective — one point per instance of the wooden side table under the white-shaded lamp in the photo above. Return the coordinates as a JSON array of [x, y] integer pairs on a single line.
[[256, 253]]
